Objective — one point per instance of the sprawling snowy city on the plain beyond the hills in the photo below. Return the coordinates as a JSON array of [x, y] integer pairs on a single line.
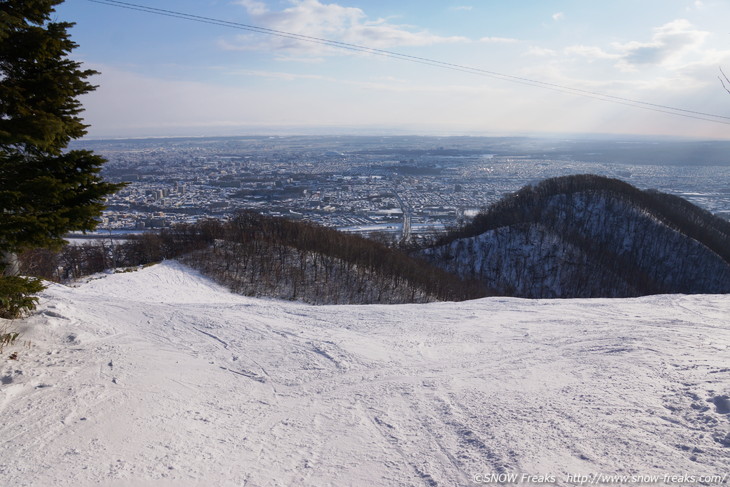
[[400, 185]]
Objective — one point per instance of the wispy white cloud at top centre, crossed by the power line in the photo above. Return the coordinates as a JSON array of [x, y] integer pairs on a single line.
[[332, 22]]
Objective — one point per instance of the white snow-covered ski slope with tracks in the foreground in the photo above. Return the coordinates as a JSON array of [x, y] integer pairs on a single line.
[[159, 377]]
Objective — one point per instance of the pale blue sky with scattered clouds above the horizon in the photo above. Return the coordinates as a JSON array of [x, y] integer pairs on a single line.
[[164, 76]]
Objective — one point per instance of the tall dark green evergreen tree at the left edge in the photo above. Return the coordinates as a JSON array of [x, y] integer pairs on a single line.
[[45, 190]]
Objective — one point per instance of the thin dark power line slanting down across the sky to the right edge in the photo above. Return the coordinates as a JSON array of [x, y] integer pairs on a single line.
[[709, 117]]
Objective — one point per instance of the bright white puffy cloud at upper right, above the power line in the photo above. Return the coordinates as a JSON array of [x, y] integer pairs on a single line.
[[667, 46]]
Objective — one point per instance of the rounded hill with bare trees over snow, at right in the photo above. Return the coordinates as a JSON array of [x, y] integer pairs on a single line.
[[589, 236]]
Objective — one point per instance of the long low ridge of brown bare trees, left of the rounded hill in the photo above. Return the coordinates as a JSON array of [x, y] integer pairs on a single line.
[[257, 255]]
